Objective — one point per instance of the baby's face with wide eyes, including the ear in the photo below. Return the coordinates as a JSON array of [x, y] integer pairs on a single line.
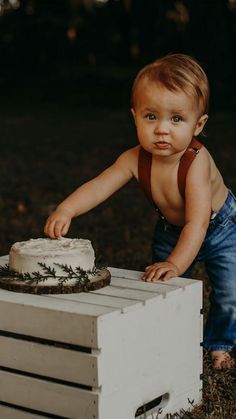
[[165, 120]]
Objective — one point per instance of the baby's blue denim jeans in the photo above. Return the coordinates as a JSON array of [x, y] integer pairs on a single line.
[[218, 251]]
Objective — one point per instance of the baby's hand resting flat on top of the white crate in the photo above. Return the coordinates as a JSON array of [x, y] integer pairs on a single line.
[[161, 271]]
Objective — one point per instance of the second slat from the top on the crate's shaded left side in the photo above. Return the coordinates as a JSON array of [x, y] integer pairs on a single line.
[[49, 361]]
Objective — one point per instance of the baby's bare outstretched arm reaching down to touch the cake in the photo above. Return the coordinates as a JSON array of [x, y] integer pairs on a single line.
[[92, 193]]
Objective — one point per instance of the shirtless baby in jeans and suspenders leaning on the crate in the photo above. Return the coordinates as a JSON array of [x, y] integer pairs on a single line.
[[197, 213]]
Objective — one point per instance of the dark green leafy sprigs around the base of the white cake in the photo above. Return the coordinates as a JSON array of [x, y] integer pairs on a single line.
[[80, 276]]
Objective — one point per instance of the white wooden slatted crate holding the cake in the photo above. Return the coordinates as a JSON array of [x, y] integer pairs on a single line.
[[103, 354]]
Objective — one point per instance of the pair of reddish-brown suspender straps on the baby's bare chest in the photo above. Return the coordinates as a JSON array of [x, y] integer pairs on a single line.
[[145, 164]]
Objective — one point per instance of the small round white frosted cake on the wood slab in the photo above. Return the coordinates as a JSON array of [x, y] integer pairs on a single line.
[[25, 256]]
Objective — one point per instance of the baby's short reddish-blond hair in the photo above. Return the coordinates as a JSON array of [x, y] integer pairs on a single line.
[[177, 72]]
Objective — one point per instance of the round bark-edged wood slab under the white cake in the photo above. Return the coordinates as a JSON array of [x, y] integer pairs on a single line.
[[100, 280]]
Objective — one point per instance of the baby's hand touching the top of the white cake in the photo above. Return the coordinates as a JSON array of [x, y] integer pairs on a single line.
[[57, 224]]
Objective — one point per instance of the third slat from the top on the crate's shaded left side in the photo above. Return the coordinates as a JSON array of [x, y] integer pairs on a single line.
[[48, 397]]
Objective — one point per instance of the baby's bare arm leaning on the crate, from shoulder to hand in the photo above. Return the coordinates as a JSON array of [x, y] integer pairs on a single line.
[[197, 215]]
